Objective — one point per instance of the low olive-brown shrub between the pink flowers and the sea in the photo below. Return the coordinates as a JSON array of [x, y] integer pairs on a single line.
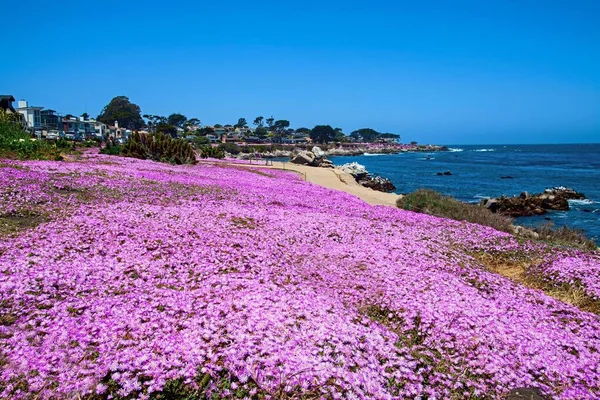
[[433, 203]]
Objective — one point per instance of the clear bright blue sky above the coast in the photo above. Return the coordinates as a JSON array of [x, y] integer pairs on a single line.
[[450, 72]]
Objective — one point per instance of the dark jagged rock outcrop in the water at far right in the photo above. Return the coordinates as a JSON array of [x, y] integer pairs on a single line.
[[525, 205]]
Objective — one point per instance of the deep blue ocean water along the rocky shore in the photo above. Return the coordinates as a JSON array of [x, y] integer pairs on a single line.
[[477, 173]]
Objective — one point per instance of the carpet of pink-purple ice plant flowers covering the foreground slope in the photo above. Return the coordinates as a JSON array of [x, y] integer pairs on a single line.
[[122, 278]]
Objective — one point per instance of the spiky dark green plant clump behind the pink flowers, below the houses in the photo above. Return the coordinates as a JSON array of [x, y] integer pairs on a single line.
[[159, 147]]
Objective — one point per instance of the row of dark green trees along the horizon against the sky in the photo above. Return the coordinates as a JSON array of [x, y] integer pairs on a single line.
[[129, 116]]
